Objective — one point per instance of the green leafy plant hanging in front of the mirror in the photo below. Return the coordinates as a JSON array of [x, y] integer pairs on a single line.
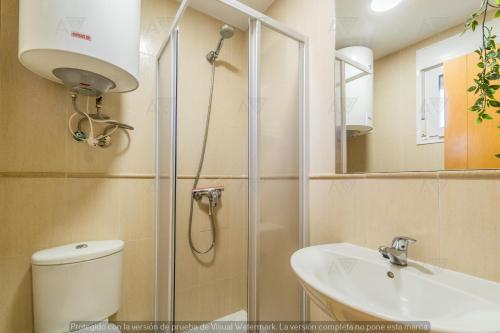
[[489, 63]]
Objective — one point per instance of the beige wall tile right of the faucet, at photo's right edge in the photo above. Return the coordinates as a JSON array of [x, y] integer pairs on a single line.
[[470, 226]]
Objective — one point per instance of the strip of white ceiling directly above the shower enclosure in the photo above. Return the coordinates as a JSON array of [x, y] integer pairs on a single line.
[[228, 15]]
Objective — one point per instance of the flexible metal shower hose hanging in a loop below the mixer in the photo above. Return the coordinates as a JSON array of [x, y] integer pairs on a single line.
[[198, 174]]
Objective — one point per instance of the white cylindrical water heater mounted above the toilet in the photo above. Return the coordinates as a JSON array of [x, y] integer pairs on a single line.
[[91, 46]]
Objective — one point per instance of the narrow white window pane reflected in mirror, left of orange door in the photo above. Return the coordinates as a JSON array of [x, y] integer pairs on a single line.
[[432, 111]]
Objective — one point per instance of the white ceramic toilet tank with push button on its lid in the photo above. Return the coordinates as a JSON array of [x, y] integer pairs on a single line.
[[76, 282]]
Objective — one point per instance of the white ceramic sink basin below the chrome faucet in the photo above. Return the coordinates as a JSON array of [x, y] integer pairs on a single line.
[[352, 283]]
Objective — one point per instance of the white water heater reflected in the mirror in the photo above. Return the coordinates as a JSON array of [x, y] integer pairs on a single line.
[[358, 91]]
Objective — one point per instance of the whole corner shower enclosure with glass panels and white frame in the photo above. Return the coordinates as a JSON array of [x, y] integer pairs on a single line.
[[231, 166]]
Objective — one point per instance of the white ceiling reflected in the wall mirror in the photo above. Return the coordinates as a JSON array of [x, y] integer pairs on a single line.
[[408, 23]]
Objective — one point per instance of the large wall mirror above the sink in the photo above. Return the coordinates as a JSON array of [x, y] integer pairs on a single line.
[[404, 71]]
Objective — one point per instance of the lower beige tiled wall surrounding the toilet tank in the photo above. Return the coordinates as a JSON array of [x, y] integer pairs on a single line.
[[38, 213]]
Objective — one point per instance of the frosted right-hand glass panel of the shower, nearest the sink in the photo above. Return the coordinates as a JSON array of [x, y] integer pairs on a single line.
[[279, 183]]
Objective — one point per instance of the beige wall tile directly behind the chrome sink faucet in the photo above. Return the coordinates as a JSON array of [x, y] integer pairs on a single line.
[[403, 207]]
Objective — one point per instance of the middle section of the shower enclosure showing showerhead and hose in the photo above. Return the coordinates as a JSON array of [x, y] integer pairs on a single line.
[[211, 286]]
